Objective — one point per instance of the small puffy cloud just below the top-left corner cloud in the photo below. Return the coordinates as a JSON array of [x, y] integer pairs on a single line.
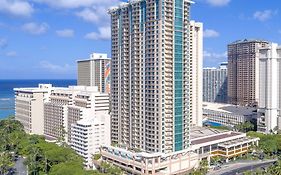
[[35, 29]]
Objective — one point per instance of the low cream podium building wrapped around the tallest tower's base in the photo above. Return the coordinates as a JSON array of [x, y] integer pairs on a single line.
[[205, 143]]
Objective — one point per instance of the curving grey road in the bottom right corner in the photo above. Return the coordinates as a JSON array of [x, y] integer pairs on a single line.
[[239, 167]]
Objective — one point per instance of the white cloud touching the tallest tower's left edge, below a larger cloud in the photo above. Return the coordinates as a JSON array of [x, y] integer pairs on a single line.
[[104, 33]]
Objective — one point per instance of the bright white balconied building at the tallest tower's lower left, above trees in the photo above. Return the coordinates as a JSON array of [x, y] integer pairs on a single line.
[[89, 134]]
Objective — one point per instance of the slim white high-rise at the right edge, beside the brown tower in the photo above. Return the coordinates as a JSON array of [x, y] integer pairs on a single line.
[[269, 86]]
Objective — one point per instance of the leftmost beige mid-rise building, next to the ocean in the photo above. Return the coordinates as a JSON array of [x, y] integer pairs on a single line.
[[29, 107]]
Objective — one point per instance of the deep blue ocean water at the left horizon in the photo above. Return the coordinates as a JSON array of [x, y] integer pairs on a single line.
[[7, 96]]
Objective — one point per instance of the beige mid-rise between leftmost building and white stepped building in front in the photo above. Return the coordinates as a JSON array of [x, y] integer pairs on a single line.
[[68, 105]]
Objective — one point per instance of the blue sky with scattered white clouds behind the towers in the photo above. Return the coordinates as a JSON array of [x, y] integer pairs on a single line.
[[42, 39]]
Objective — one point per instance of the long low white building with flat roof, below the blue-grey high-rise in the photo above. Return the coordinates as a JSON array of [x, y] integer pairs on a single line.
[[227, 114]]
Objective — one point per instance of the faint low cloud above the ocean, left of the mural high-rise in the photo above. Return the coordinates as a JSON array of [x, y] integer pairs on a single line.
[[54, 68]]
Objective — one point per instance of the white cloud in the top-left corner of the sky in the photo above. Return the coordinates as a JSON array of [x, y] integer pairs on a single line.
[[16, 8]]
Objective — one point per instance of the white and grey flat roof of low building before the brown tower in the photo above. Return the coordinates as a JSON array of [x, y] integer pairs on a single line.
[[229, 108]]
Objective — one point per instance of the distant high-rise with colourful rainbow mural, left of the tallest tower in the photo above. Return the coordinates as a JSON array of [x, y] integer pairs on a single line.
[[95, 72]]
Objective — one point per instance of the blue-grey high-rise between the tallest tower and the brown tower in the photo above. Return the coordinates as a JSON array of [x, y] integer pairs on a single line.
[[215, 84]]
